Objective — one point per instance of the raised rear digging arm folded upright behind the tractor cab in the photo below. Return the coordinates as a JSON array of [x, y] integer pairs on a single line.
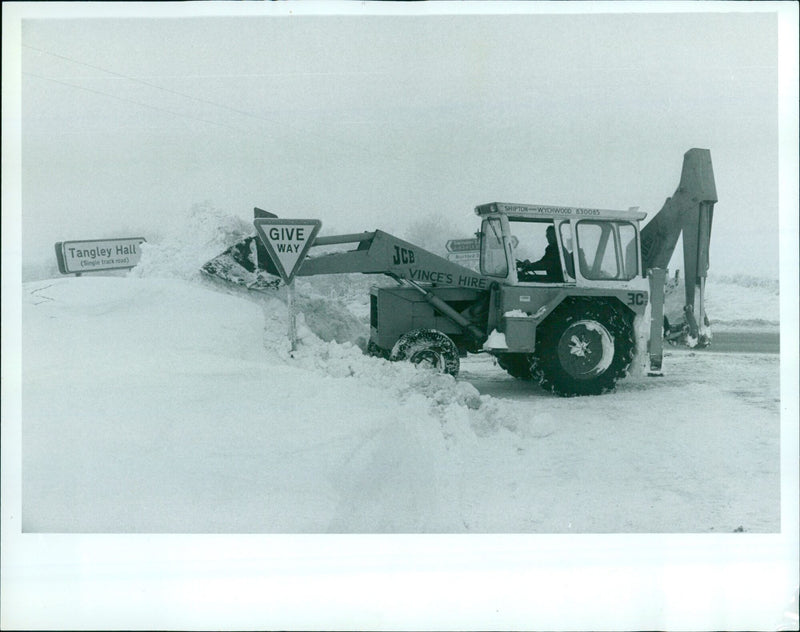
[[689, 212]]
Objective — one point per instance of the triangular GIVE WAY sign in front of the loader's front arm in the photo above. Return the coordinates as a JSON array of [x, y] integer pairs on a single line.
[[287, 242]]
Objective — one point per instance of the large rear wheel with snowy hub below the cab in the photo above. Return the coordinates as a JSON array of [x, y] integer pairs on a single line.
[[582, 348]]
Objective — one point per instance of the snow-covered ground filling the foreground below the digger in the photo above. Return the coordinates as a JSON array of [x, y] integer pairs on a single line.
[[155, 403]]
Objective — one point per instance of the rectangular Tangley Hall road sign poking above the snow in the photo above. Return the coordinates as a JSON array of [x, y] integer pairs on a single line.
[[75, 257]]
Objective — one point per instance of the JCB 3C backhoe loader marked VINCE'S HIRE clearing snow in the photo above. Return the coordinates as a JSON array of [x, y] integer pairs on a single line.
[[567, 321]]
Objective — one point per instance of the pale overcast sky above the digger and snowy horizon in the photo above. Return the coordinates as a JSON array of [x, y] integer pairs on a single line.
[[367, 122]]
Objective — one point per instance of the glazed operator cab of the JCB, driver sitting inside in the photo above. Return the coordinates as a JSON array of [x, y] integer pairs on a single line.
[[558, 245]]
